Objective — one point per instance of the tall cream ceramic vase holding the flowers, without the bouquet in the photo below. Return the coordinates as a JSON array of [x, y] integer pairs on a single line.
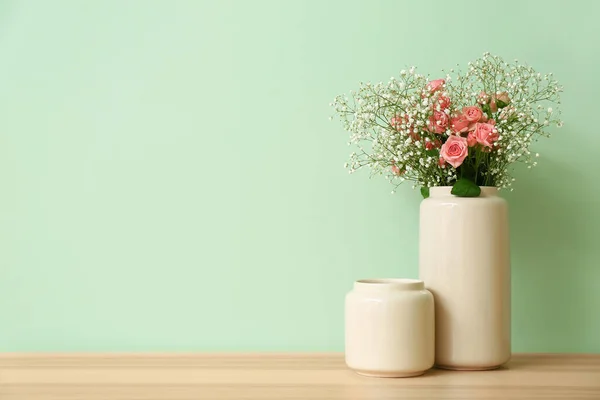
[[464, 261]]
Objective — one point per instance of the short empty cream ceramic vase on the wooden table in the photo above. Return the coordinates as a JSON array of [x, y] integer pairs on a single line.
[[389, 328]]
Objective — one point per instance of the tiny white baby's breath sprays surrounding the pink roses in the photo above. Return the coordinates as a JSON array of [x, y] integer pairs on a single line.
[[367, 113]]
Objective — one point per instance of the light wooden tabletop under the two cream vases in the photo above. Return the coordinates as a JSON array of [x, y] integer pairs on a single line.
[[282, 377]]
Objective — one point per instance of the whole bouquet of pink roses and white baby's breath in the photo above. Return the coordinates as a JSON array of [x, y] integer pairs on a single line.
[[463, 131]]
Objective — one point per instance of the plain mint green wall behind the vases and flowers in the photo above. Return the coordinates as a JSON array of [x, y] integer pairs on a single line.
[[170, 180]]
